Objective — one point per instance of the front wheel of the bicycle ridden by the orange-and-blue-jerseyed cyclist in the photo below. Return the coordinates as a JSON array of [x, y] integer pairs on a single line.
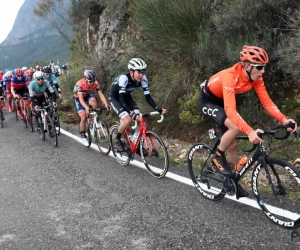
[[102, 137]]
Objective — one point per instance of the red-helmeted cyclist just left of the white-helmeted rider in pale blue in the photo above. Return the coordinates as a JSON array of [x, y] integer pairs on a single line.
[[19, 88]]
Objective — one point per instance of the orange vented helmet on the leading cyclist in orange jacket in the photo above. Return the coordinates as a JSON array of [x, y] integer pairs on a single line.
[[254, 54]]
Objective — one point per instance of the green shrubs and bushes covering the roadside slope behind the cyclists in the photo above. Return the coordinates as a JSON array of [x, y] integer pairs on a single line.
[[186, 41]]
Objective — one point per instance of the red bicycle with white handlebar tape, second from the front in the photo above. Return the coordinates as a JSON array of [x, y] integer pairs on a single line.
[[149, 145]]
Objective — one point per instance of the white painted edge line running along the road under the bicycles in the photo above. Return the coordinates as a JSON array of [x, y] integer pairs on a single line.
[[187, 181]]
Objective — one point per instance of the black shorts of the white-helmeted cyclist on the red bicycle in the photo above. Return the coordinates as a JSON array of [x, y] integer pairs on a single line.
[[118, 108]]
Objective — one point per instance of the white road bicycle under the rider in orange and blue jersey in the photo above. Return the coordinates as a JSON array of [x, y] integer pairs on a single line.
[[97, 130]]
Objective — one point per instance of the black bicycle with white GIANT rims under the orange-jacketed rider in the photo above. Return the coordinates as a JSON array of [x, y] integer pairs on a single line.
[[269, 179]]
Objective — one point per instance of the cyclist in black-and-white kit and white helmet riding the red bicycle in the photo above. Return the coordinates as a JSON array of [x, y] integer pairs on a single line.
[[121, 99]]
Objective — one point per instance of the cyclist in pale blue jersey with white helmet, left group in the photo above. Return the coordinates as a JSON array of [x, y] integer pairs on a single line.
[[37, 91]]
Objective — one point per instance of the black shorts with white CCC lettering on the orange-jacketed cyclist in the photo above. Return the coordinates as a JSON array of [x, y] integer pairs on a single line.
[[213, 108]]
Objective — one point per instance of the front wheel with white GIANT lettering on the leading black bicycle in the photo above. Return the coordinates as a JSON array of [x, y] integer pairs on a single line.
[[278, 194]]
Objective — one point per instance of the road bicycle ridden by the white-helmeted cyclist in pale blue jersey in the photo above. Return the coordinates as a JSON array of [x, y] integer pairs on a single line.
[[47, 124]]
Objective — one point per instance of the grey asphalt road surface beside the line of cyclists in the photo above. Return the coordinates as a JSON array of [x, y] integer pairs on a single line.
[[71, 197]]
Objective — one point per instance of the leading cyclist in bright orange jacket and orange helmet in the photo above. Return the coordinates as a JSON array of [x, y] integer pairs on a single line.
[[218, 101]]
